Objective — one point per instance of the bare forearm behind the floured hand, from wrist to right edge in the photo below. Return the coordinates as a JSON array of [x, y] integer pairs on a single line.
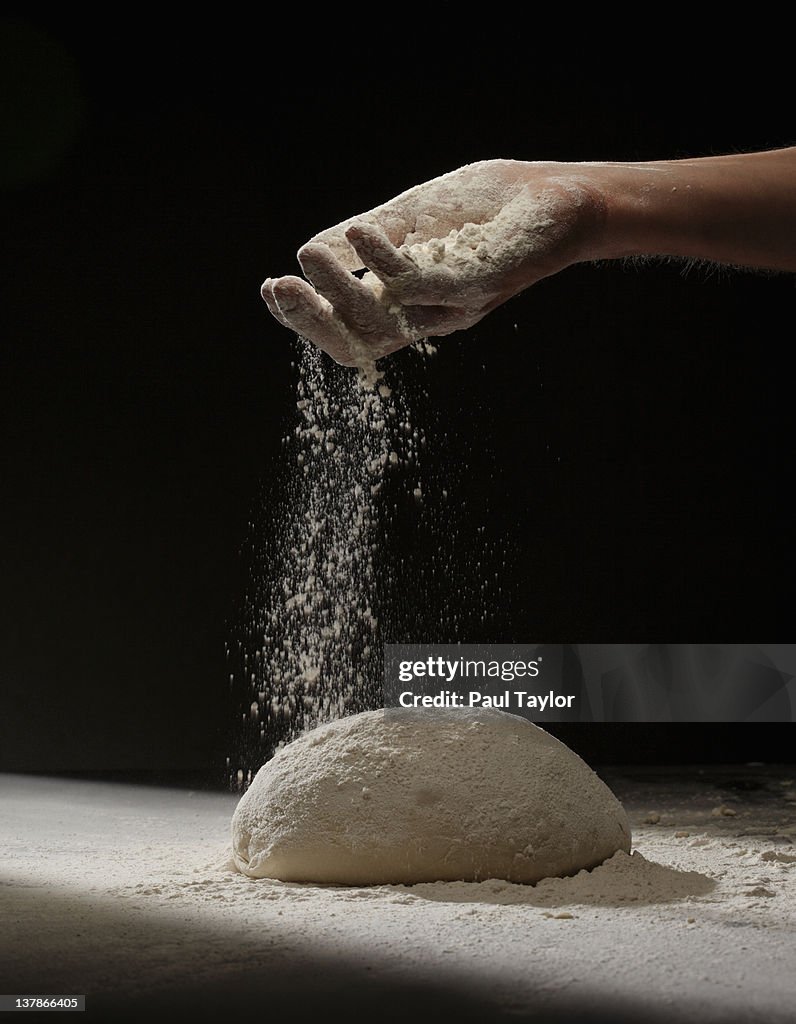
[[737, 209]]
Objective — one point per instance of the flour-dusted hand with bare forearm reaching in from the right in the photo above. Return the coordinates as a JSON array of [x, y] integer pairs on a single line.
[[739, 210]]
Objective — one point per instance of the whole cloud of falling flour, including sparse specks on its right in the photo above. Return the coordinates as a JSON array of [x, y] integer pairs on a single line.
[[361, 545]]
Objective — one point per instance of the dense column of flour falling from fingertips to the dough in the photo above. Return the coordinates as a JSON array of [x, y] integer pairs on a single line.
[[311, 654]]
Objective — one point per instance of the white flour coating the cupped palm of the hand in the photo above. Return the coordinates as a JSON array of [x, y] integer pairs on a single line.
[[474, 245]]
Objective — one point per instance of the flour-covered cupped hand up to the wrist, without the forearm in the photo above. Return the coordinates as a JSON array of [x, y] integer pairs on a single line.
[[439, 258]]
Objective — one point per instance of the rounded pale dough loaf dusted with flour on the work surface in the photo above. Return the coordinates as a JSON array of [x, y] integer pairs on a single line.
[[406, 796]]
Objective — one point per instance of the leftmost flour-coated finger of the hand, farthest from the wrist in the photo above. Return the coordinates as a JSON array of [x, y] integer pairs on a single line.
[[298, 307]]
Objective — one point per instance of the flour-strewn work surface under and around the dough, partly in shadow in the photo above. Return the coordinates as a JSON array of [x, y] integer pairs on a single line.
[[125, 894]]
